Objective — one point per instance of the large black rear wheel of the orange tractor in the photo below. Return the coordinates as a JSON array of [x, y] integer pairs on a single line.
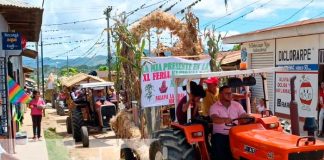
[[171, 145]]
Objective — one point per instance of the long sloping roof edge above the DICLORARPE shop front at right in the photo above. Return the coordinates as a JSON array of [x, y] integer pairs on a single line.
[[300, 28]]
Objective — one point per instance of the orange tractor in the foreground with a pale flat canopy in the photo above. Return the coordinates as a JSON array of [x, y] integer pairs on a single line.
[[258, 137]]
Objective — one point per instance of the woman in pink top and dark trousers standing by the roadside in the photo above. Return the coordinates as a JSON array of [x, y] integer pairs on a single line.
[[37, 105]]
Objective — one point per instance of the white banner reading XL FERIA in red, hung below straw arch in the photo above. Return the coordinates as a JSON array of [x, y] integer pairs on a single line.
[[156, 79]]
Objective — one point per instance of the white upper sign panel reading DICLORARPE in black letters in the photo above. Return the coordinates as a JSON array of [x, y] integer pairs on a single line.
[[297, 50]]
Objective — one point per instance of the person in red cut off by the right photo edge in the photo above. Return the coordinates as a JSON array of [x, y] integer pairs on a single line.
[[321, 109]]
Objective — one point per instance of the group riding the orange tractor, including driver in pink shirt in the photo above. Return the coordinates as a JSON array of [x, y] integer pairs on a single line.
[[218, 107]]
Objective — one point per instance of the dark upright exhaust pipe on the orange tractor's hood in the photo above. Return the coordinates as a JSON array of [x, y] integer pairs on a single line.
[[294, 108]]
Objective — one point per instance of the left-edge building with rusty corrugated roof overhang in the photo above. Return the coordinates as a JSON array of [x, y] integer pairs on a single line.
[[22, 18]]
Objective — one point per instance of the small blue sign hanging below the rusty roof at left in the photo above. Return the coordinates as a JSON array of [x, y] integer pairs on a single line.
[[11, 41]]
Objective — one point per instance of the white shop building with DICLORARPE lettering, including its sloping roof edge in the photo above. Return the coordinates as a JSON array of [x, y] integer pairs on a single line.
[[297, 45]]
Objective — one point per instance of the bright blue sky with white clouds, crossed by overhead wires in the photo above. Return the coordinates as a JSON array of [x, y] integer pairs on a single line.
[[79, 38]]
